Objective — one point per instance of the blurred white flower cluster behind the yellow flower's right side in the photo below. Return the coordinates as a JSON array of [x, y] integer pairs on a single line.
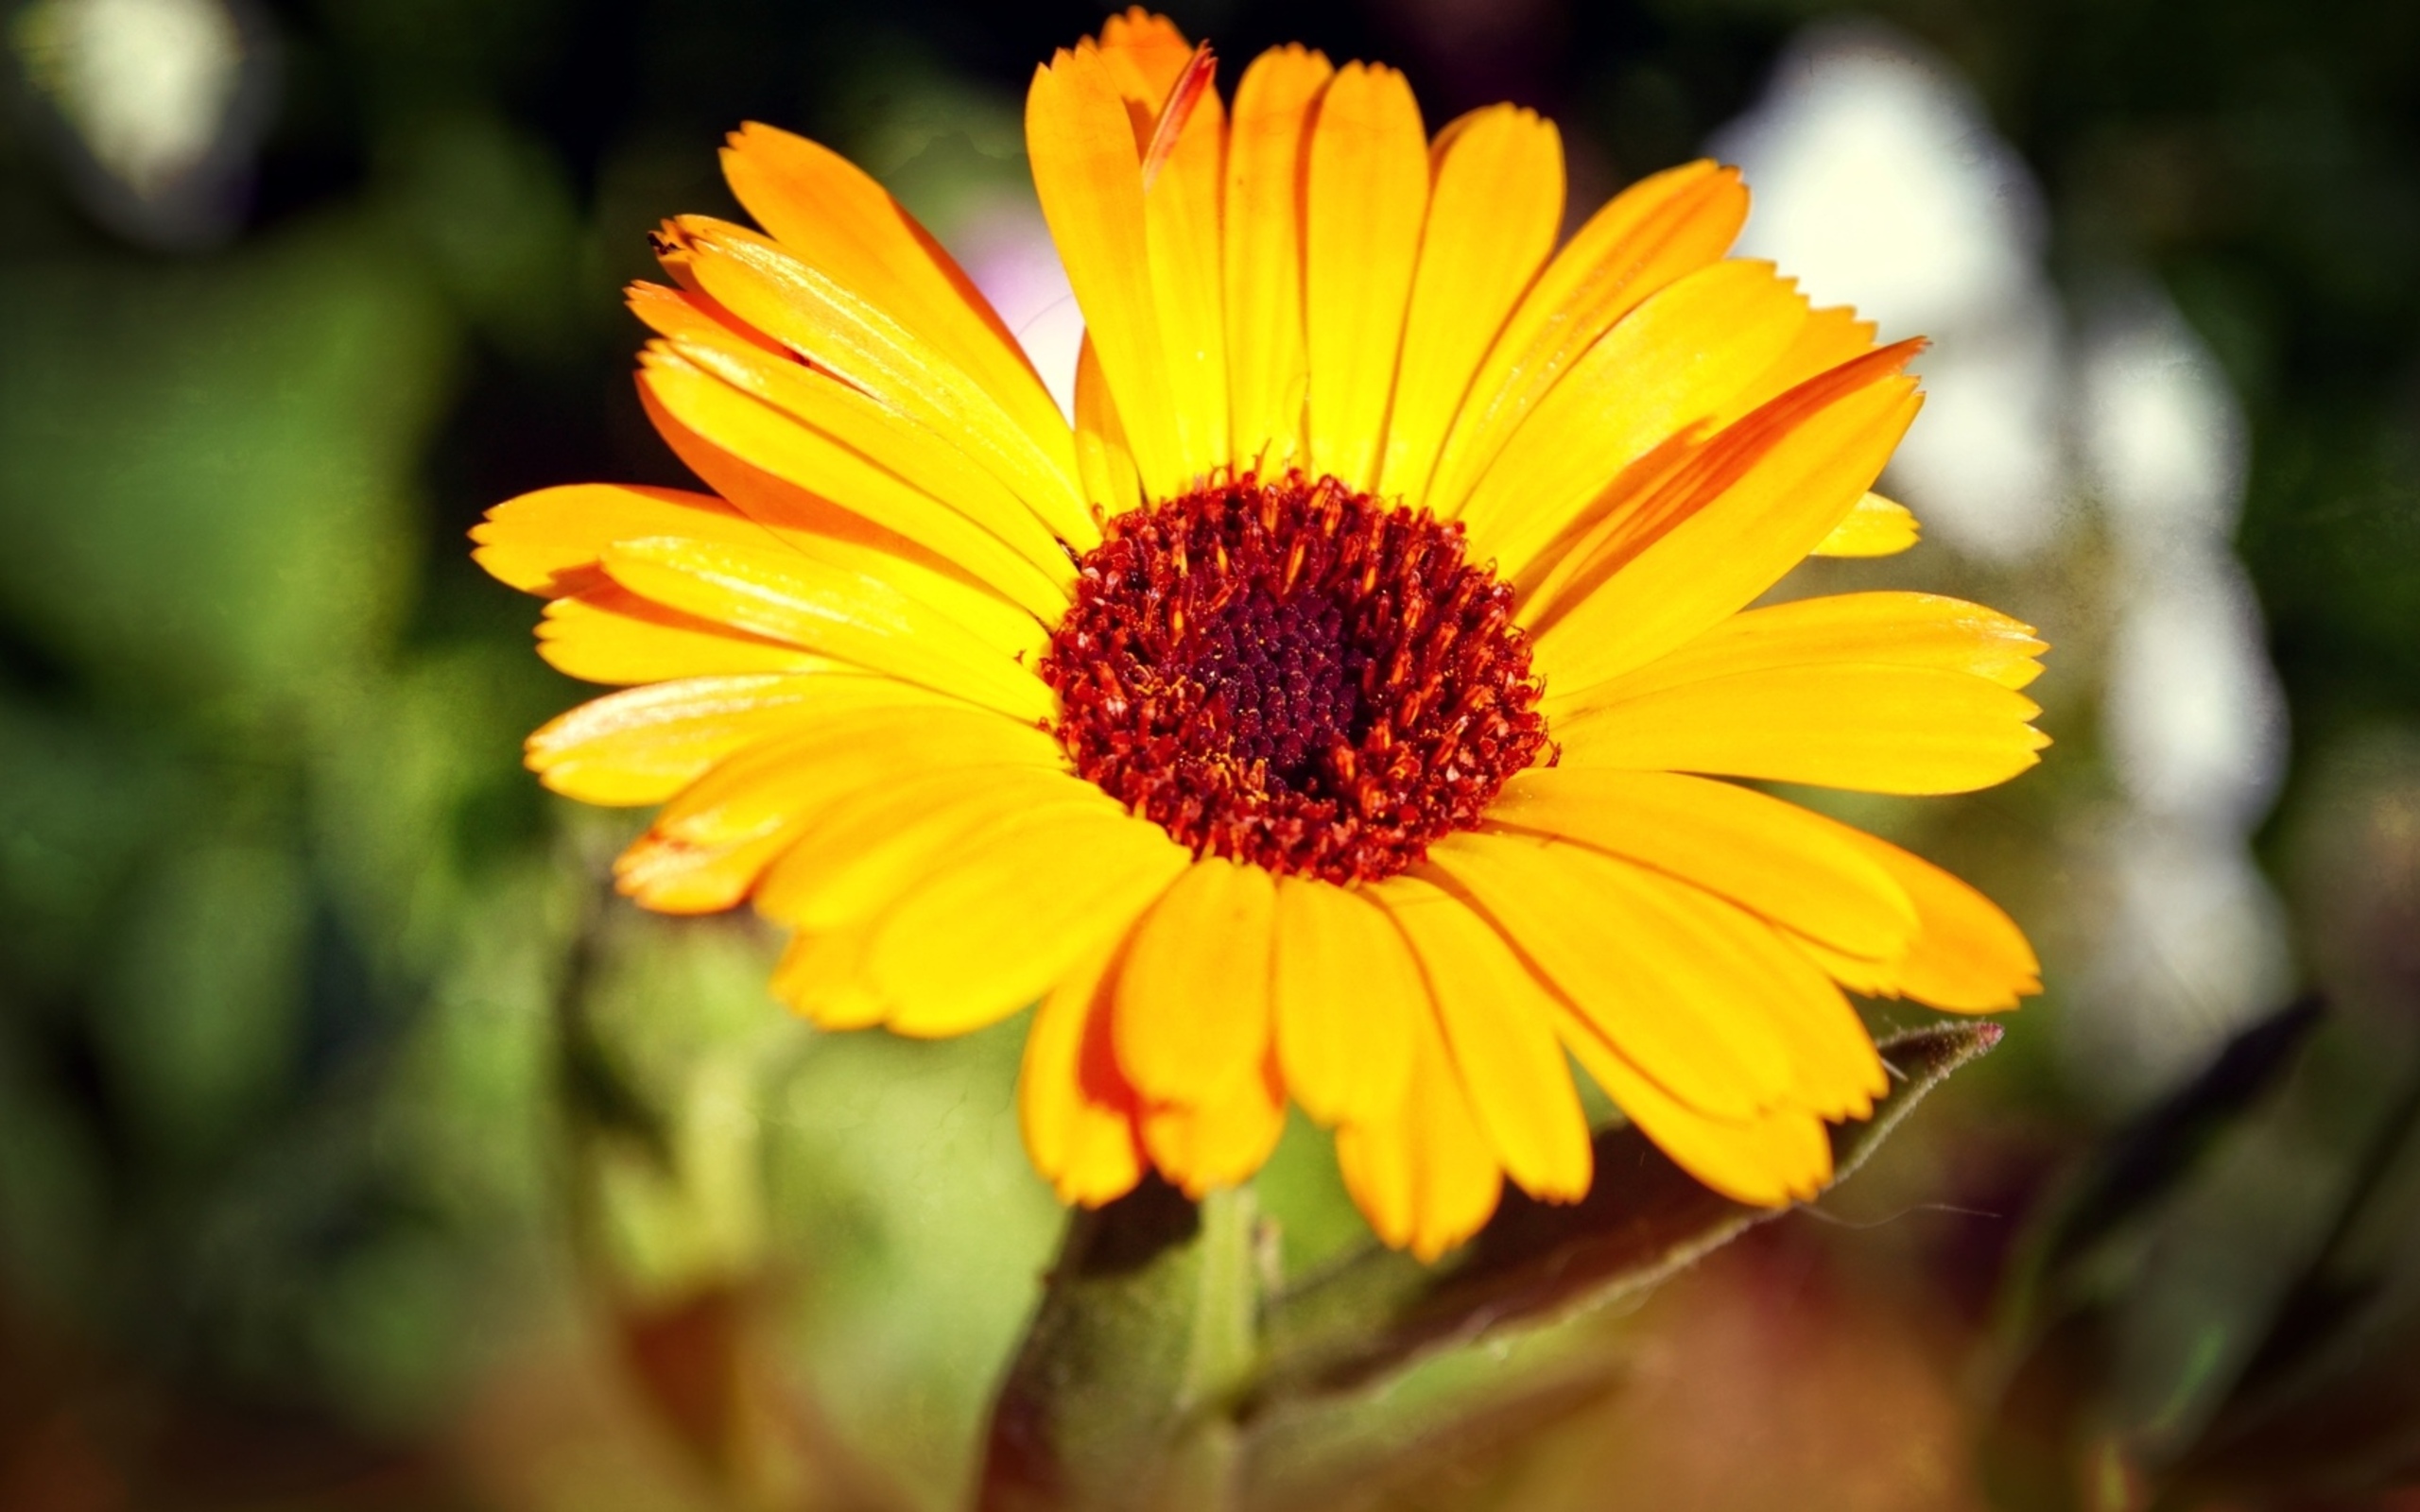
[[1879, 183]]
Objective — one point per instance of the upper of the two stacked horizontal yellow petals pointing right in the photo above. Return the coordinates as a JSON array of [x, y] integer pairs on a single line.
[[1913, 630]]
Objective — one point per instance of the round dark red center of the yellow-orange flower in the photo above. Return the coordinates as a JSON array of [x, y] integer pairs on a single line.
[[1293, 674]]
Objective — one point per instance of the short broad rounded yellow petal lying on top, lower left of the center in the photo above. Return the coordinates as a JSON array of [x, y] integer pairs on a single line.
[[1013, 913]]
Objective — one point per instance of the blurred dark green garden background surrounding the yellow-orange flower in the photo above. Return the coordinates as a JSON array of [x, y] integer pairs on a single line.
[[359, 1150]]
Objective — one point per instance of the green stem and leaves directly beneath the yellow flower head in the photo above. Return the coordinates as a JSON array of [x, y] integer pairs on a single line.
[[1156, 1378]]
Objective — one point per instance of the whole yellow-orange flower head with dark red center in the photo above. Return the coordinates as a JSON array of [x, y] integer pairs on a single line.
[[1335, 712]]
